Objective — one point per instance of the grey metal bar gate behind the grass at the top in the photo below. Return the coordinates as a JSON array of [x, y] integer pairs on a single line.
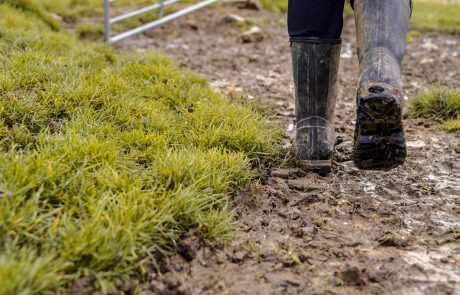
[[108, 21]]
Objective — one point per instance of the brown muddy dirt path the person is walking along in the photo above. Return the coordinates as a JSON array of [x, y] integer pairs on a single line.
[[351, 232]]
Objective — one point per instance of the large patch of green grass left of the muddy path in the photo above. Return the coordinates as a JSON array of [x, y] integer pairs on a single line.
[[108, 157]]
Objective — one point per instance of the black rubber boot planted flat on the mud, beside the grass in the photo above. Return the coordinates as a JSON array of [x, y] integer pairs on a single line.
[[315, 66]]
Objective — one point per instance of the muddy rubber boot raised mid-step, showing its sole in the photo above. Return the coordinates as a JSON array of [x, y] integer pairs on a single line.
[[381, 27]]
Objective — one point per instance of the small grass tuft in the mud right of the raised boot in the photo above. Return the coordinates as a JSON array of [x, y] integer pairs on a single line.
[[438, 103]]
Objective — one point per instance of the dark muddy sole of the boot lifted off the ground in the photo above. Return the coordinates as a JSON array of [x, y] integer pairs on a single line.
[[379, 135]]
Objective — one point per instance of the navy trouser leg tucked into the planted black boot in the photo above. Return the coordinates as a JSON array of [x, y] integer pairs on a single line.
[[316, 18]]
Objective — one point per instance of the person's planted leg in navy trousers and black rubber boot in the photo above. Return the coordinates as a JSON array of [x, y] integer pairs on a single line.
[[315, 27]]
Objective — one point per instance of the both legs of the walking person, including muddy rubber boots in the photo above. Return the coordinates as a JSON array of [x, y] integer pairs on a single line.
[[315, 27]]
